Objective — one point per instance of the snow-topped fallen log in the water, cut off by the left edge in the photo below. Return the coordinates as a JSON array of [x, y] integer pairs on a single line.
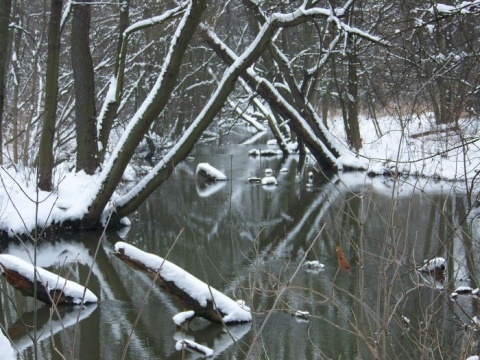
[[50, 287]]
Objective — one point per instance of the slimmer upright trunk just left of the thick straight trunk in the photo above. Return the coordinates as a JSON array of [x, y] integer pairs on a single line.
[[45, 163]]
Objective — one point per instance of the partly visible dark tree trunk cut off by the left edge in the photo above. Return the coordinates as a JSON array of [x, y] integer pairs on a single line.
[[5, 8]]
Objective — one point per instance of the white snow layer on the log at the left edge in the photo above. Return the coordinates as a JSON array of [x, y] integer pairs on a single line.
[[74, 293]]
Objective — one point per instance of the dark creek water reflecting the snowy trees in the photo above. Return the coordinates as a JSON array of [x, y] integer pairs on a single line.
[[248, 241]]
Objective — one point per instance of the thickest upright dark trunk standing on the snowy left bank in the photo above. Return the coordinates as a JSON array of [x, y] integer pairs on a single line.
[[82, 64]]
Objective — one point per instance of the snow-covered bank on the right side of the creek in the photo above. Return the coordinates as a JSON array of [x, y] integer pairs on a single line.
[[415, 147]]
